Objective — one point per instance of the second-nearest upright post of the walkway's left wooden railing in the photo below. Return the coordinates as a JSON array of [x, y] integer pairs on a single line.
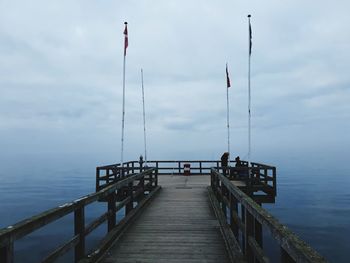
[[79, 229]]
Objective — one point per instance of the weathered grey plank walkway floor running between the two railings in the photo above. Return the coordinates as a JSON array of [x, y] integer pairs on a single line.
[[178, 226]]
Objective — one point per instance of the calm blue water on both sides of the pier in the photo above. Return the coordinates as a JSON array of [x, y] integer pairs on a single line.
[[312, 201]]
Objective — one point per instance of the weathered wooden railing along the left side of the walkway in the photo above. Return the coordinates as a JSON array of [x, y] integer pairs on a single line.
[[135, 188]]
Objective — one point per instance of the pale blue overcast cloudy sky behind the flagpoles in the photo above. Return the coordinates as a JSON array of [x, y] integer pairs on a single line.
[[61, 66]]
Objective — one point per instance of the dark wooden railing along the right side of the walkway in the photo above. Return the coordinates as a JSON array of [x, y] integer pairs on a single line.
[[248, 222]]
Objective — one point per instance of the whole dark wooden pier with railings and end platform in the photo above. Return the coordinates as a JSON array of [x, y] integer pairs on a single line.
[[173, 211]]
